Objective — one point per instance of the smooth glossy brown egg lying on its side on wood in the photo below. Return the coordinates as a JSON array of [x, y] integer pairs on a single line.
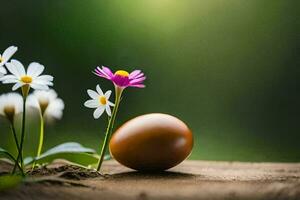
[[151, 142]]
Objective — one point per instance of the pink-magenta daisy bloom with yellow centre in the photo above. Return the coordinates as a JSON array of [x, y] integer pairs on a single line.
[[122, 78]]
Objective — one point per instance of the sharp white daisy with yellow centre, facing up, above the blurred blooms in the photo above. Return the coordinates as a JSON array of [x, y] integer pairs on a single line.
[[31, 78]]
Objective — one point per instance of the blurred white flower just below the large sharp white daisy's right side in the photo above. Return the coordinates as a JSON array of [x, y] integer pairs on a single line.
[[47, 102]]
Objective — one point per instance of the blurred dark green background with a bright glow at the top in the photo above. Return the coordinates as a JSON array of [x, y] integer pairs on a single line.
[[228, 68]]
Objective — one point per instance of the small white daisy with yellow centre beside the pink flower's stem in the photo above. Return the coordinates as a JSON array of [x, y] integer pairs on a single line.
[[99, 101]]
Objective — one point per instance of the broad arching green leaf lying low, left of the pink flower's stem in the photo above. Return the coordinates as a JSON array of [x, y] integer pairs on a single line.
[[71, 151]]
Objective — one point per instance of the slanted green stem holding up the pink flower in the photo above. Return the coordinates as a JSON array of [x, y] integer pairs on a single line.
[[110, 126]]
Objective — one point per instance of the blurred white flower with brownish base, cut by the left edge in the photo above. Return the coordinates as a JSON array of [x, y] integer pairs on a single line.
[[10, 105]]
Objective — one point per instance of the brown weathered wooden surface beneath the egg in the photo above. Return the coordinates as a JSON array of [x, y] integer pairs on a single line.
[[189, 180]]
